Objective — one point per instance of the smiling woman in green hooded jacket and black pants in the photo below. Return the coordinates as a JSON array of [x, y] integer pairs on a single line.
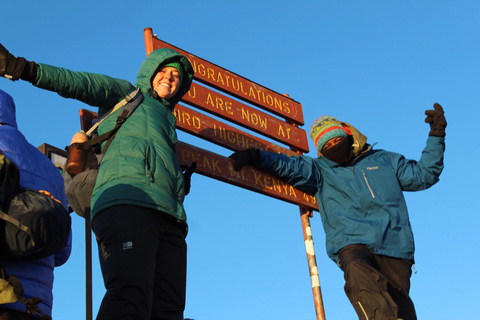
[[137, 204]]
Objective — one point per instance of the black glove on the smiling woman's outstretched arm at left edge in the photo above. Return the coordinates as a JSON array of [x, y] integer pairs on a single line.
[[14, 68]]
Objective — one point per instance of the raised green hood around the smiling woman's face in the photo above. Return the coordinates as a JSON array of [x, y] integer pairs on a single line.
[[150, 66]]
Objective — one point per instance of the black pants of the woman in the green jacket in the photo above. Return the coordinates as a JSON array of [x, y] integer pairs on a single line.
[[143, 257]]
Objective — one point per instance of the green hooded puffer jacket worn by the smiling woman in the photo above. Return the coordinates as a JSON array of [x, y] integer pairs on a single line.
[[140, 167]]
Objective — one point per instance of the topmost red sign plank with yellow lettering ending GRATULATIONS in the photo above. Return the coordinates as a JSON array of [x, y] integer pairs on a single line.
[[231, 83]]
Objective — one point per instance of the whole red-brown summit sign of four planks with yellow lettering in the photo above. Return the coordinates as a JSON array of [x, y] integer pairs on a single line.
[[236, 100]]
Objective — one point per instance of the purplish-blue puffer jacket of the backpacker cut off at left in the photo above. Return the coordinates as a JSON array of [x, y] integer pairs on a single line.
[[39, 173]]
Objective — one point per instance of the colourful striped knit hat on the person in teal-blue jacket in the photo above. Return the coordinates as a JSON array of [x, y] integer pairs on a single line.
[[324, 129]]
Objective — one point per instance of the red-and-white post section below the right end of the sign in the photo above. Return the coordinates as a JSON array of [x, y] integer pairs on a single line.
[[312, 262]]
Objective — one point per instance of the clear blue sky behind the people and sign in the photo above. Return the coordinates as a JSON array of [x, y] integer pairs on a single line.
[[376, 64]]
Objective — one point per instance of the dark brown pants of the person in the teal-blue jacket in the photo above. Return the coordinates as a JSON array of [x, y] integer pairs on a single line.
[[377, 286]]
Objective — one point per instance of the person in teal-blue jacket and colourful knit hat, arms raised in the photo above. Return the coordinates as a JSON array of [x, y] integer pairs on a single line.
[[359, 192]]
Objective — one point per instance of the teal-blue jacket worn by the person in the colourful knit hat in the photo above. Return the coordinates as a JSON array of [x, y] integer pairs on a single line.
[[362, 203]]
